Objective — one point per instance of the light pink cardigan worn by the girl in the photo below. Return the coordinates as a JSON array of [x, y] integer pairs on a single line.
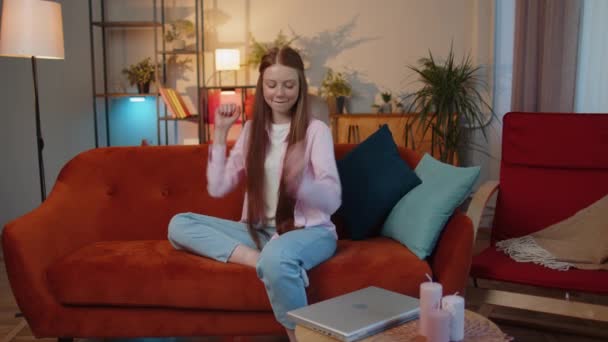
[[320, 193]]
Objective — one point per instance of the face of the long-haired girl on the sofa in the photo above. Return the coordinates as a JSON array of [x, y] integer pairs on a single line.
[[281, 88]]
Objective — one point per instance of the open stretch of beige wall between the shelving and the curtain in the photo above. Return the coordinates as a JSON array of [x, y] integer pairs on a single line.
[[372, 41]]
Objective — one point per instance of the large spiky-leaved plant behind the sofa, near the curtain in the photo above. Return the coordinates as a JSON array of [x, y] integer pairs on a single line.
[[449, 103]]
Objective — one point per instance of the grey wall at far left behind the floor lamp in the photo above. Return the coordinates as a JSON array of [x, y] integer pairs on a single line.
[[65, 110]]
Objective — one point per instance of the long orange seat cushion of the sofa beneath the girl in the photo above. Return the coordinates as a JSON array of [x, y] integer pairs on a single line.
[[154, 274]]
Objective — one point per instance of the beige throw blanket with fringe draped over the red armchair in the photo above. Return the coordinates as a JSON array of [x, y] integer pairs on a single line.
[[580, 241]]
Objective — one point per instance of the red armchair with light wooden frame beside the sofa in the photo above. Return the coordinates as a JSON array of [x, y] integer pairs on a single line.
[[552, 166]]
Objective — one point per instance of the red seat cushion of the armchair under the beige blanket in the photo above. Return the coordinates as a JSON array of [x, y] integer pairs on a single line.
[[495, 265]]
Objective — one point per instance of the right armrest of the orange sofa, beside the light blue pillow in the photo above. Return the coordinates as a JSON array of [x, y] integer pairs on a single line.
[[451, 260]]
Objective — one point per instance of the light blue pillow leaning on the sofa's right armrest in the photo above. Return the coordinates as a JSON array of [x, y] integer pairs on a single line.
[[419, 217]]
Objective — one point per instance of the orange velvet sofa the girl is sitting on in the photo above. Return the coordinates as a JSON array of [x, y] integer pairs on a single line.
[[94, 261]]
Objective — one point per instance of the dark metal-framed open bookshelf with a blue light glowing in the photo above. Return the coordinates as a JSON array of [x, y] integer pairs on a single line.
[[123, 33]]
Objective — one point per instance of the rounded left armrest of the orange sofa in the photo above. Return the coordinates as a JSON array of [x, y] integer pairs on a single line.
[[60, 225]]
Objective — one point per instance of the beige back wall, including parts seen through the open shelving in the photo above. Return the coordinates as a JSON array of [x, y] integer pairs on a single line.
[[373, 42]]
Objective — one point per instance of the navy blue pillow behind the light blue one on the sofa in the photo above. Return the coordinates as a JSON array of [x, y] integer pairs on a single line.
[[374, 178]]
